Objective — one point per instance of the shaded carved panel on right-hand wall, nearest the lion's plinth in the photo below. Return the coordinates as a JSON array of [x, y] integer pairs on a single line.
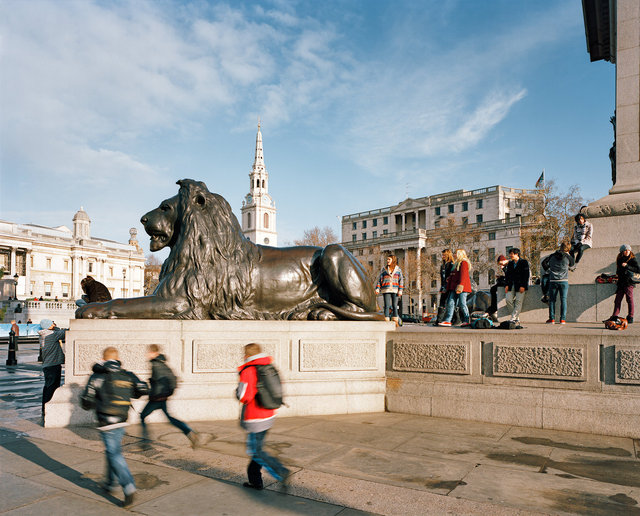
[[432, 358]]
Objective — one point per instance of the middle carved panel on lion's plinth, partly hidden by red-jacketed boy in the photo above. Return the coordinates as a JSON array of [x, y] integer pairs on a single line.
[[224, 356]]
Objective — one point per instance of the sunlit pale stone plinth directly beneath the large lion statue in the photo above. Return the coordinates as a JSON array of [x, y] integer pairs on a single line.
[[326, 367]]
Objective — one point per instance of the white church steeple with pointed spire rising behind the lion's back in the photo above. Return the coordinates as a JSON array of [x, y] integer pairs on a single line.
[[258, 208]]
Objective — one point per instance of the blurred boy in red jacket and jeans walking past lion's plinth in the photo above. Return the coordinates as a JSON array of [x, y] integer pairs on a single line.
[[256, 420]]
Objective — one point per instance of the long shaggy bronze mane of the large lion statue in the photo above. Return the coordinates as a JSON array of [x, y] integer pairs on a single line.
[[211, 260]]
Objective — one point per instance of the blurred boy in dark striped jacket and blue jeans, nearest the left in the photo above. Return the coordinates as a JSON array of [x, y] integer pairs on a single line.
[[109, 391]]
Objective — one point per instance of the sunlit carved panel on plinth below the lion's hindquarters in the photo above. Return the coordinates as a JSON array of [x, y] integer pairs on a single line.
[[327, 355]]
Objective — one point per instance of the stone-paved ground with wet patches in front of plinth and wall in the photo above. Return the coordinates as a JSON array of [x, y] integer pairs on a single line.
[[380, 463]]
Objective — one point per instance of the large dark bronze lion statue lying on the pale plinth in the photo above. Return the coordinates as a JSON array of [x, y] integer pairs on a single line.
[[214, 272]]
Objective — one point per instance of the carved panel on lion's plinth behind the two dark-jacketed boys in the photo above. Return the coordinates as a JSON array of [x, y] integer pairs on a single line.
[[133, 354]]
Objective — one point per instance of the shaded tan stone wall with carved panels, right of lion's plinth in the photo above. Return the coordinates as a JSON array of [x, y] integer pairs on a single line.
[[564, 378]]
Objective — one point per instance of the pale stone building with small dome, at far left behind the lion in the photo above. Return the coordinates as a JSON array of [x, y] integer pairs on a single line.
[[51, 261]]
